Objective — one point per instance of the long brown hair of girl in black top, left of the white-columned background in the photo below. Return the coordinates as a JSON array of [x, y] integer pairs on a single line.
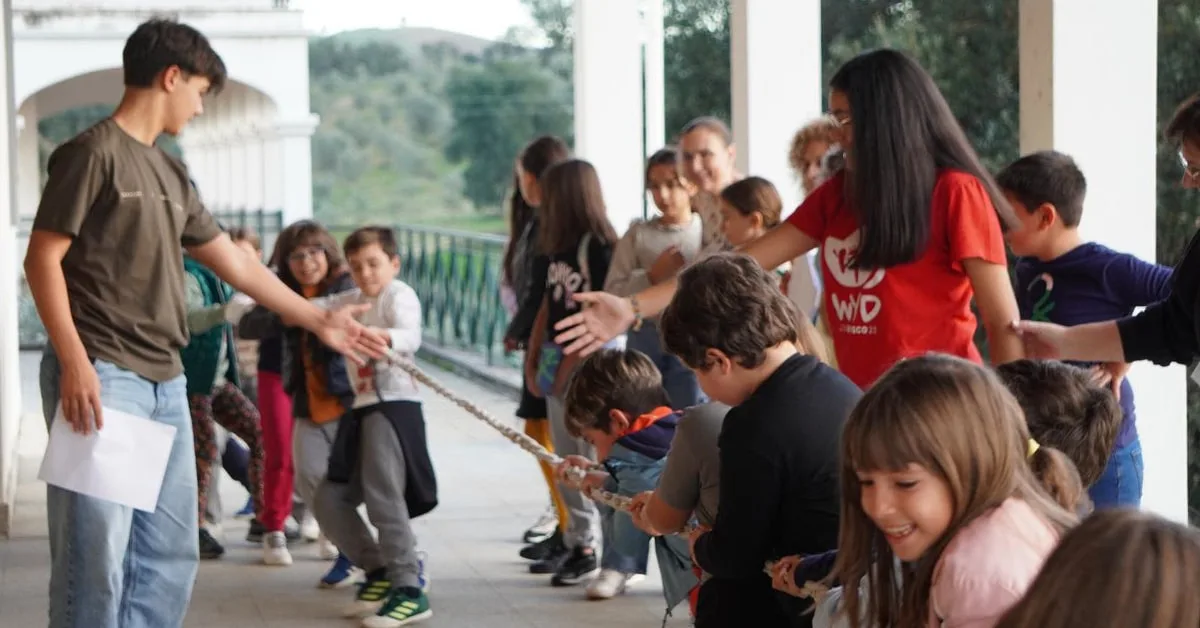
[[573, 206]]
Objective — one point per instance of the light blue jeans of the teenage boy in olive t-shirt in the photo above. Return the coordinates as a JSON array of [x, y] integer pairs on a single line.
[[112, 566]]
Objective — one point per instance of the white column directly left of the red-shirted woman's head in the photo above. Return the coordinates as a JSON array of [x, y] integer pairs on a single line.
[[775, 93]]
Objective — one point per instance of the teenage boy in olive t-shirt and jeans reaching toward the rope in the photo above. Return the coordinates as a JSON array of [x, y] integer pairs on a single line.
[[105, 267]]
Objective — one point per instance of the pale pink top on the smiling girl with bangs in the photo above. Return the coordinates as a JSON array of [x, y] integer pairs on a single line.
[[988, 566]]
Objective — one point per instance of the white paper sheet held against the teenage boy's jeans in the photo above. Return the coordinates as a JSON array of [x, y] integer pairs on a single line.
[[124, 463]]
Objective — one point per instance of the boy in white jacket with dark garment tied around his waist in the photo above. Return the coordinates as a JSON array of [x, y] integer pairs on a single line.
[[381, 457]]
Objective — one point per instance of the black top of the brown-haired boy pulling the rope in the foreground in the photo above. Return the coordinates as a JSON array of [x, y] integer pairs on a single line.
[[779, 471]]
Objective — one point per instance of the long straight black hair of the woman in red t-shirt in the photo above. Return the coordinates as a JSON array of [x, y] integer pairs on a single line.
[[904, 134]]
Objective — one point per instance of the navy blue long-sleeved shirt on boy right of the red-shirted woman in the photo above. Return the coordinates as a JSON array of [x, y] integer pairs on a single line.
[[1089, 285]]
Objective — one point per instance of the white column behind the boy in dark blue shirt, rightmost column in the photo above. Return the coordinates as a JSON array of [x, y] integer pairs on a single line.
[[1065, 73]]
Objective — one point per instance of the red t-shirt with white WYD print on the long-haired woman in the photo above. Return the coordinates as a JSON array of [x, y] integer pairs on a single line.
[[879, 318]]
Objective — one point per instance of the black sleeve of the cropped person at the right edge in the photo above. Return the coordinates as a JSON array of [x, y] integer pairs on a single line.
[[1167, 332]]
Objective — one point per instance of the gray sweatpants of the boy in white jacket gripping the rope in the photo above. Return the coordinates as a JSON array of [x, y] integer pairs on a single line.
[[379, 481]]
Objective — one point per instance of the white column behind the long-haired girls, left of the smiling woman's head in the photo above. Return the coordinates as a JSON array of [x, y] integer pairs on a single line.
[[609, 125]]
